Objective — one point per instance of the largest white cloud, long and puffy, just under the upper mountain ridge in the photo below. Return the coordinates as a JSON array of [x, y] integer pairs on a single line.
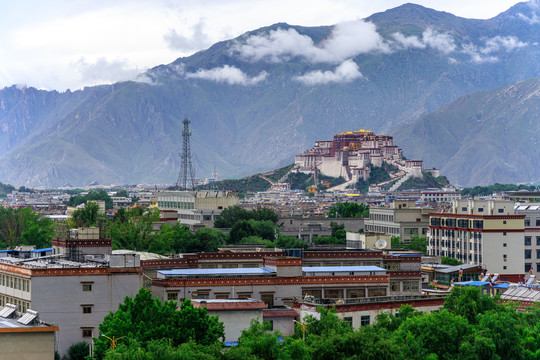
[[347, 40]]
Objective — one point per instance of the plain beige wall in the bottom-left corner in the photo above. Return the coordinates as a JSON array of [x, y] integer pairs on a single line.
[[27, 346]]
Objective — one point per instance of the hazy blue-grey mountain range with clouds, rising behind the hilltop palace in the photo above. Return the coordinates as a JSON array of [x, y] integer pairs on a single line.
[[257, 100]]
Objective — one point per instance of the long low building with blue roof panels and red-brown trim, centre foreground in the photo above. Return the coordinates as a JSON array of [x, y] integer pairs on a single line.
[[281, 281]]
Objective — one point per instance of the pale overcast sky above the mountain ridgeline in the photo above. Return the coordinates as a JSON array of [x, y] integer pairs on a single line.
[[61, 44]]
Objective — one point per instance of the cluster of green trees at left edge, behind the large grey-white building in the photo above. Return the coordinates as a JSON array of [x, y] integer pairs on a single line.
[[23, 226]]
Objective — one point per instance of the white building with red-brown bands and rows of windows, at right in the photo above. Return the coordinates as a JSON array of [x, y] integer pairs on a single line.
[[484, 233]]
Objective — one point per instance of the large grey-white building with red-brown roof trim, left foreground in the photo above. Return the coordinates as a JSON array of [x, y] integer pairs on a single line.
[[74, 288]]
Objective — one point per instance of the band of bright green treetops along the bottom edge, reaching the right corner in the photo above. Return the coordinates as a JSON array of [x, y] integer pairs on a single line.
[[471, 325]]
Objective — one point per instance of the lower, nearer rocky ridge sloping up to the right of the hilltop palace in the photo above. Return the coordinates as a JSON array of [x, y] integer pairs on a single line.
[[481, 138]]
